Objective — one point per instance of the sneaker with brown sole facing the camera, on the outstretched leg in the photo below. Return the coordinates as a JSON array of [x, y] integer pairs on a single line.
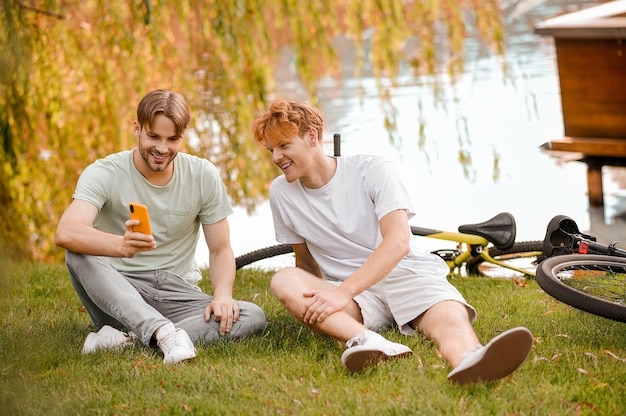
[[499, 358]]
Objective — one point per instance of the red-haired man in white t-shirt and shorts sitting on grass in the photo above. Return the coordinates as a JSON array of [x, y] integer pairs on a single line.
[[356, 269]]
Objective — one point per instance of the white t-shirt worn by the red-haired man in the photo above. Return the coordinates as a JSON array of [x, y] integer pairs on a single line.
[[340, 221]]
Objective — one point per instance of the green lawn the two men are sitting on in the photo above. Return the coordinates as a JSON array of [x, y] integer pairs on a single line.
[[577, 366]]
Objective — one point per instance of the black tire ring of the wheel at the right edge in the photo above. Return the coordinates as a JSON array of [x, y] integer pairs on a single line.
[[547, 278]]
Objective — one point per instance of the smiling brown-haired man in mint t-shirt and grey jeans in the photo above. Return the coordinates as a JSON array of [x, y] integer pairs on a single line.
[[148, 284]]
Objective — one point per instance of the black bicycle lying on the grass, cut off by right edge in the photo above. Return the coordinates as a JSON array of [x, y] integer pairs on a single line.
[[581, 272]]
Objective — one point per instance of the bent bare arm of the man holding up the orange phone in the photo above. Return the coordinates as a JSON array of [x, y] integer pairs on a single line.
[[75, 232]]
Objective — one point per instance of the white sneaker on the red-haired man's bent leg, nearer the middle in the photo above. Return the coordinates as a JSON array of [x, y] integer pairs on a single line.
[[369, 348]]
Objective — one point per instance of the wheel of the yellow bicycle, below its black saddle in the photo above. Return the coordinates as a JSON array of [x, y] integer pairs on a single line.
[[524, 255]]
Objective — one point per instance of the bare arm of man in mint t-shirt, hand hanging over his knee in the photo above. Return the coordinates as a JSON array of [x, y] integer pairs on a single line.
[[222, 271]]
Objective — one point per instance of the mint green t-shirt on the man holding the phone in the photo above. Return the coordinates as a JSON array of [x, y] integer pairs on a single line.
[[195, 195]]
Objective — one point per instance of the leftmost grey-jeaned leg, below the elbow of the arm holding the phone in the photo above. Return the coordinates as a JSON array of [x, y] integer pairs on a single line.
[[107, 295]]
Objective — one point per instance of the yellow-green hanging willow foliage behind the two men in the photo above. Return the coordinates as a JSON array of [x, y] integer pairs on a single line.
[[73, 71]]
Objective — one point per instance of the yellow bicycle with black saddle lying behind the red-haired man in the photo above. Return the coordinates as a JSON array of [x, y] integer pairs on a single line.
[[486, 249]]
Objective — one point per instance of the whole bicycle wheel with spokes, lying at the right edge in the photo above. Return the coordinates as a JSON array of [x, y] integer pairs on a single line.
[[589, 282]]
